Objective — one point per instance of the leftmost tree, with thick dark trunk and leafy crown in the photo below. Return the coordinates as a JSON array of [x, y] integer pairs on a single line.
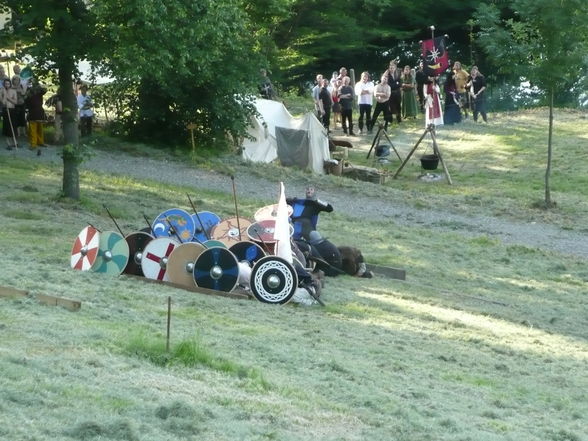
[[57, 34]]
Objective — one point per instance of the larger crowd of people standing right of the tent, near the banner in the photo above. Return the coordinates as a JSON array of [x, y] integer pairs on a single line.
[[400, 94]]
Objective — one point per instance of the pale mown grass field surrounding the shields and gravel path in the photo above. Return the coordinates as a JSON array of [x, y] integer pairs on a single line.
[[484, 341]]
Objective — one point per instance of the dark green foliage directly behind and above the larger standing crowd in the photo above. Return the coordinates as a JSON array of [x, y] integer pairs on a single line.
[[323, 36]]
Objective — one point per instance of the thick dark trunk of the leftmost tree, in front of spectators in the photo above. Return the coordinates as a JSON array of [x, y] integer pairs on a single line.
[[71, 155]]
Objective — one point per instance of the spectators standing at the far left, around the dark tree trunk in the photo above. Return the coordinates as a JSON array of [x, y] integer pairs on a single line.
[[21, 105]]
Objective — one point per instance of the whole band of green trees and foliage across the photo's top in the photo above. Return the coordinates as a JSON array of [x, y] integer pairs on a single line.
[[195, 62]]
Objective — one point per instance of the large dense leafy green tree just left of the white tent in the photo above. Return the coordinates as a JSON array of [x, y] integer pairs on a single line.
[[180, 62]]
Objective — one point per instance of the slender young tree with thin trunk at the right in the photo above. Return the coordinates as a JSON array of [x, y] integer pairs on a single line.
[[543, 41]]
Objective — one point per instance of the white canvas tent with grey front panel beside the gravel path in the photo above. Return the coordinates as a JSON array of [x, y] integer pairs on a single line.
[[295, 141]]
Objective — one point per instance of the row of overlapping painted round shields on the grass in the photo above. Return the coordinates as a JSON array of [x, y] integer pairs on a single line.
[[193, 250]]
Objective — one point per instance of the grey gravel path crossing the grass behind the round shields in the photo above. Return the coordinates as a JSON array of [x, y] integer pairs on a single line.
[[532, 234]]
